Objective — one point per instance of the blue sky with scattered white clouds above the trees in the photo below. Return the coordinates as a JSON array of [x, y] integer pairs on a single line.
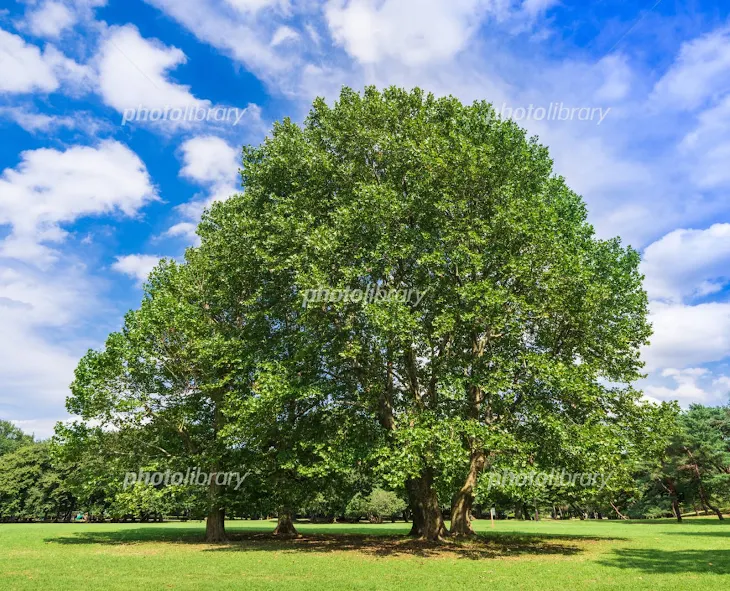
[[93, 193]]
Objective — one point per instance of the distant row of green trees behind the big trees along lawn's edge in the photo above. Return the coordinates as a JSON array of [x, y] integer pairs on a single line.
[[691, 475]]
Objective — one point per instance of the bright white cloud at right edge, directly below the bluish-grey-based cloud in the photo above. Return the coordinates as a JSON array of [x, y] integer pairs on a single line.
[[688, 336]]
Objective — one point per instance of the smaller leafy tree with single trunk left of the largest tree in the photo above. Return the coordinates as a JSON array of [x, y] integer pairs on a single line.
[[163, 384]]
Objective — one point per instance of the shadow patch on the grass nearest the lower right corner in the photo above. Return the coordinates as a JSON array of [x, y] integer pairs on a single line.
[[671, 562]]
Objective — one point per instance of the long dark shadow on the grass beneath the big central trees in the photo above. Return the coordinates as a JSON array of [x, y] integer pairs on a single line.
[[481, 547]]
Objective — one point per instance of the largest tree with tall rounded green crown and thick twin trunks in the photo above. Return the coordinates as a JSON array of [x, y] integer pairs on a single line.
[[526, 316]]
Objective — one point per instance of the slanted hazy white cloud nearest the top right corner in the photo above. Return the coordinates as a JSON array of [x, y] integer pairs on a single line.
[[700, 73]]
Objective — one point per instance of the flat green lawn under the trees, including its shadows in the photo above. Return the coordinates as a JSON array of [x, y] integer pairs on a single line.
[[546, 555]]
